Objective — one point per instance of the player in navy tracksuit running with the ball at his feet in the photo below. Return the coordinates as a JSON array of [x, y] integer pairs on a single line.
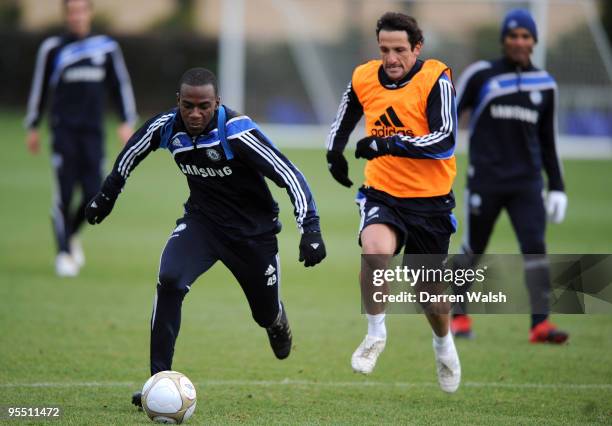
[[230, 215]]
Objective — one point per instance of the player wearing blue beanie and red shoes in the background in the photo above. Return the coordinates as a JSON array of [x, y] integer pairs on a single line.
[[512, 138]]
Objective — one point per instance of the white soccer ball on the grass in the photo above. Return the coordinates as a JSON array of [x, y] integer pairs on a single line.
[[168, 397]]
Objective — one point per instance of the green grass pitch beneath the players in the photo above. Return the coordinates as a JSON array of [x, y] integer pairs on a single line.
[[87, 338]]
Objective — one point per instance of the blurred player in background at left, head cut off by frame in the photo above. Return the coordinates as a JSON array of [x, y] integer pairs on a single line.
[[76, 70]]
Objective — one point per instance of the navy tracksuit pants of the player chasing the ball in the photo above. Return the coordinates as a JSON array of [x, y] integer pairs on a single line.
[[192, 248]]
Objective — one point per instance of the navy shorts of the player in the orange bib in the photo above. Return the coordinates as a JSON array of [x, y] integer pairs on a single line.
[[417, 233]]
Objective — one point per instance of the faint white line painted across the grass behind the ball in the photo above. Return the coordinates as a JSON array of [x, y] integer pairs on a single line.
[[290, 382]]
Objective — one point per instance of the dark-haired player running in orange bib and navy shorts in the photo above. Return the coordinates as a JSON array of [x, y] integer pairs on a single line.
[[406, 201]]
